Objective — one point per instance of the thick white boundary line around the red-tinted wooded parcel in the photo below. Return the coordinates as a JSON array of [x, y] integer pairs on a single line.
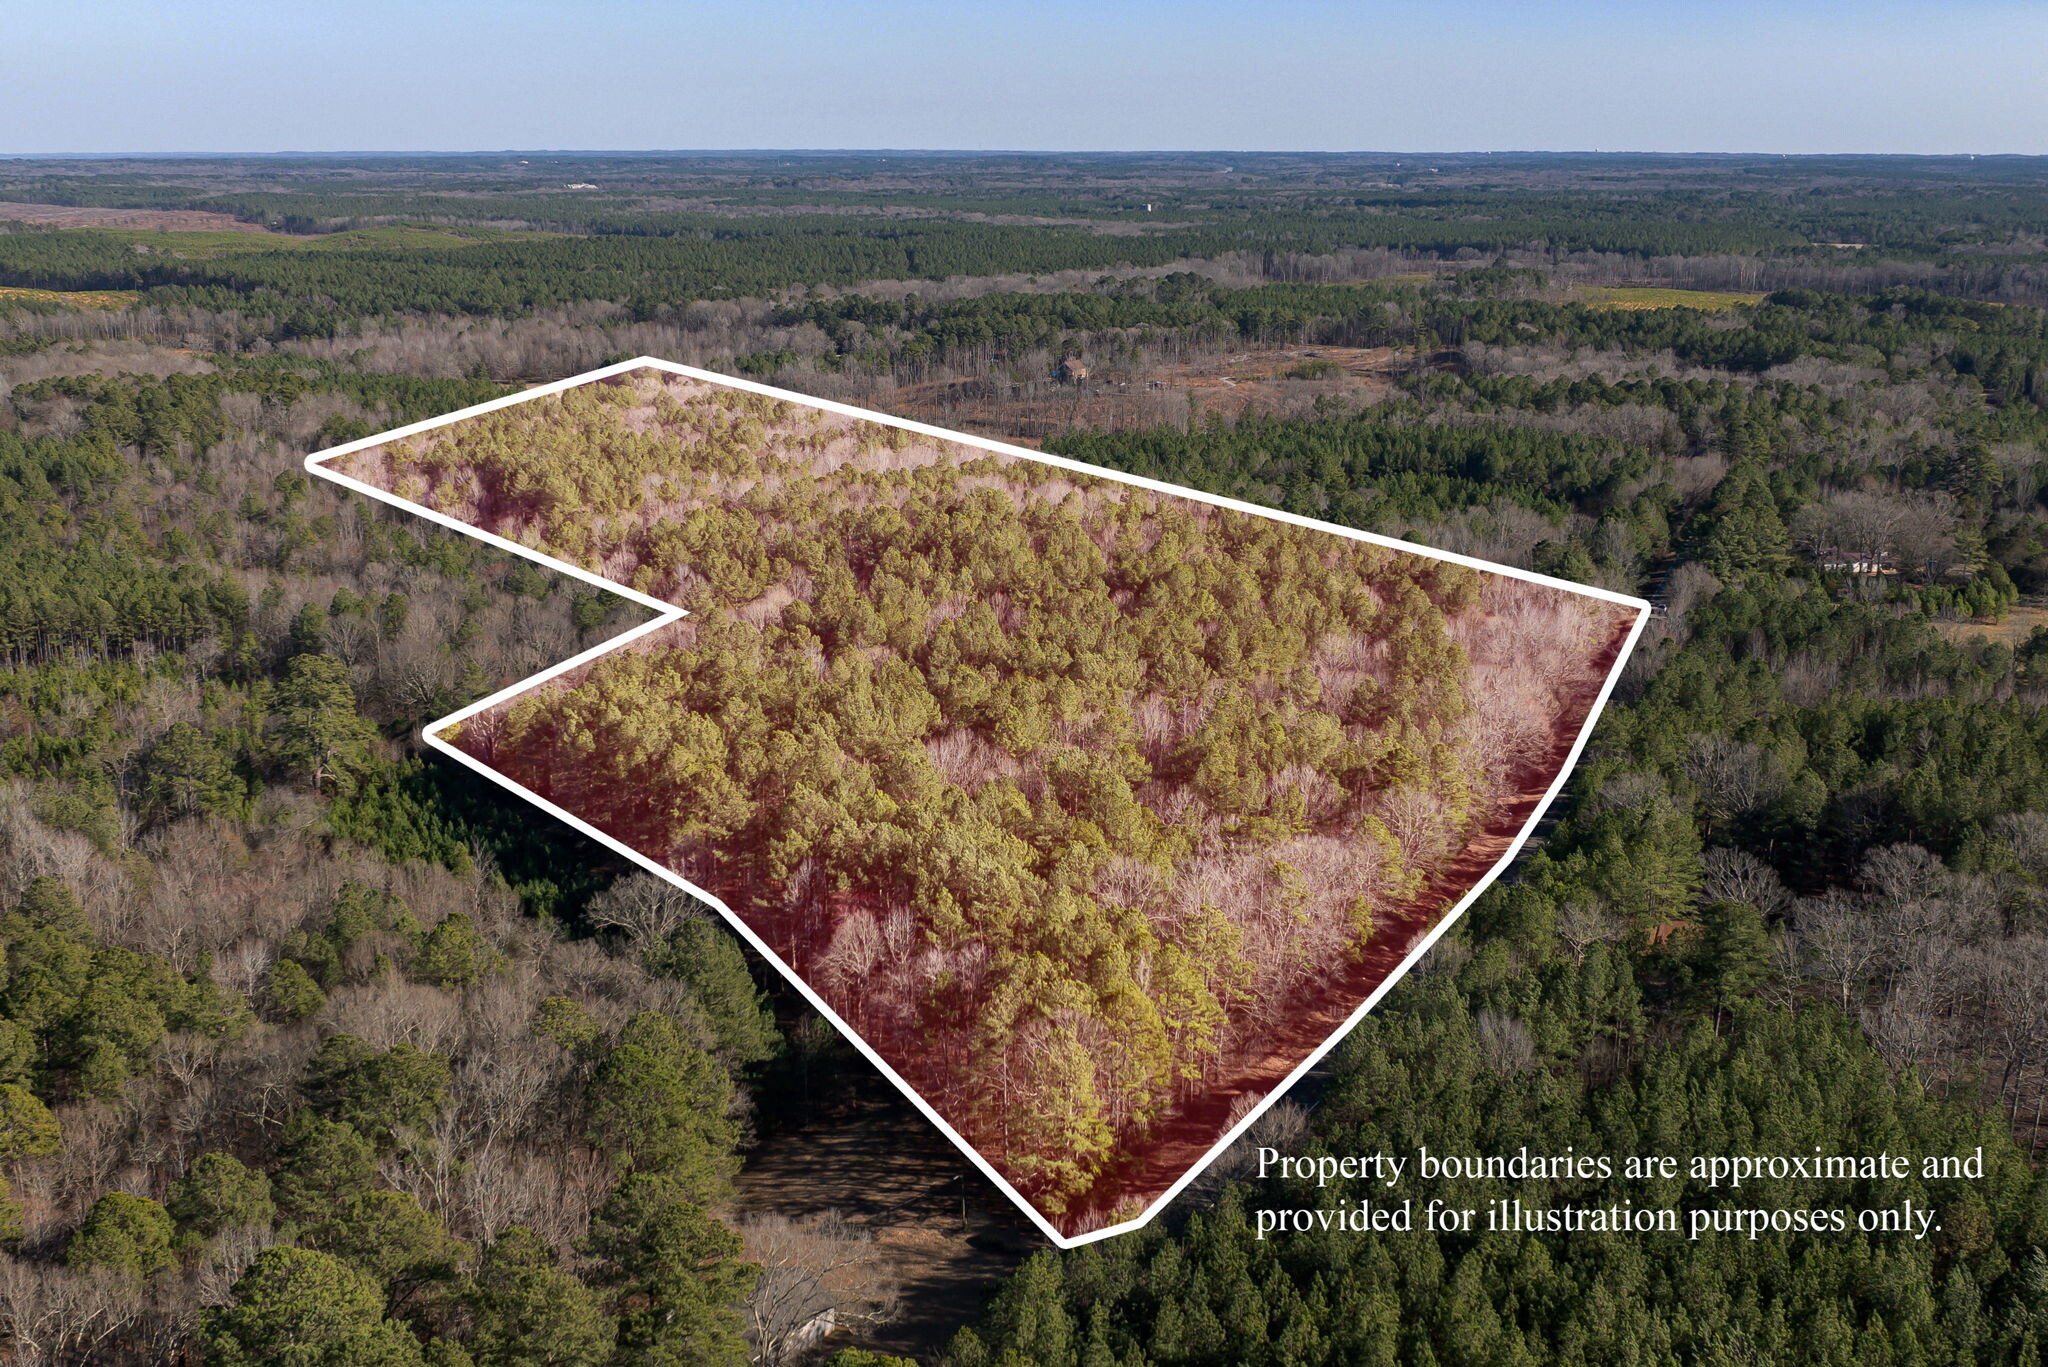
[[669, 614]]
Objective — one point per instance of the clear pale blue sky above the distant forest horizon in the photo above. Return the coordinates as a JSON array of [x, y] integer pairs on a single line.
[[1543, 75]]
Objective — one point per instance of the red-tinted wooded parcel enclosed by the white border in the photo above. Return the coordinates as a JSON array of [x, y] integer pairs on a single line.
[[1089, 809]]
